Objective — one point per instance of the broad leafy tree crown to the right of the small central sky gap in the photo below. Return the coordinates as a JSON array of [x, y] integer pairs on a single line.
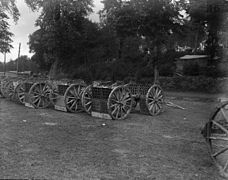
[[154, 21]]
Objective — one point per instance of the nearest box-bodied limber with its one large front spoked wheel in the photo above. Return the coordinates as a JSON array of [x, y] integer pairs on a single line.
[[110, 101]]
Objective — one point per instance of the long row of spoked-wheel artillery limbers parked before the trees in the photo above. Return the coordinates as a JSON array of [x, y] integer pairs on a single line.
[[100, 99]]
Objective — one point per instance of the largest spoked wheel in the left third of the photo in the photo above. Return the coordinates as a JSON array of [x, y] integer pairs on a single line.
[[39, 95]]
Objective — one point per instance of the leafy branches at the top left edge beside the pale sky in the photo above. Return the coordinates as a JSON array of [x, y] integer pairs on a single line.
[[7, 7]]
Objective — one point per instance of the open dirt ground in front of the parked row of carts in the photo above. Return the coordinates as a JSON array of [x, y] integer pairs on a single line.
[[46, 144]]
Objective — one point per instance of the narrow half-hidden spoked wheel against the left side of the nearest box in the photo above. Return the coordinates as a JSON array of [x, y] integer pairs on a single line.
[[87, 99]]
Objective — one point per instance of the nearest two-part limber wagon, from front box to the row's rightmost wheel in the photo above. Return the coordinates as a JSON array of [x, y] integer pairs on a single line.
[[116, 101]]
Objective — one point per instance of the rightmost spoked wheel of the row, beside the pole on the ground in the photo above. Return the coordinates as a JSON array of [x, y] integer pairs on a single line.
[[155, 100]]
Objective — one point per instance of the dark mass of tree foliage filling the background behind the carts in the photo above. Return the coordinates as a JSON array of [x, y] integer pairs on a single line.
[[133, 37]]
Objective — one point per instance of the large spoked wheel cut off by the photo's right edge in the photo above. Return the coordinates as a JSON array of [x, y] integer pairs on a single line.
[[216, 135]]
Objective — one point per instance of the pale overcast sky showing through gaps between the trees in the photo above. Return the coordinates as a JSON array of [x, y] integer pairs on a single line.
[[25, 26]]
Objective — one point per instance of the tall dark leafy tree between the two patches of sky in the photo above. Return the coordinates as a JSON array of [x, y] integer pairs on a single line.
[[61, 30]]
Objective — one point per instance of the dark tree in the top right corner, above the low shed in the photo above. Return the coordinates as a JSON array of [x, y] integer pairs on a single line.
[[208, 15]]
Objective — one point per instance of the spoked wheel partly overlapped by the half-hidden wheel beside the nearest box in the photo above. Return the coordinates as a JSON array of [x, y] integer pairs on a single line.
[[73, 96]]
